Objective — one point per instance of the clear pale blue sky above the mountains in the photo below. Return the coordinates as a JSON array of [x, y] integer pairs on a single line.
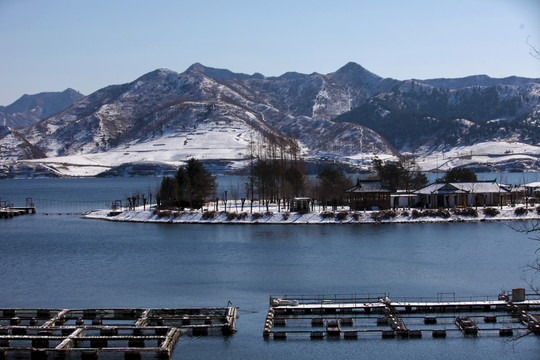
[[50, 45]]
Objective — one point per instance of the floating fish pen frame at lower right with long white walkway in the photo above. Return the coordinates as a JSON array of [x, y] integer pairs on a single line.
[[378, 316]]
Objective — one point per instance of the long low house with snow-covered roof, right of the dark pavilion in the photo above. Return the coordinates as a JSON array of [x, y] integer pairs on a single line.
[[463, 194]]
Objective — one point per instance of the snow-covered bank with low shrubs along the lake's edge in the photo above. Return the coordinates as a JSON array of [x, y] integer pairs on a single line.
[[324, 217]]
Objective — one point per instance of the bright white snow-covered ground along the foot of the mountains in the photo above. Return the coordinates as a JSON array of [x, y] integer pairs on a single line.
[[230, 144]]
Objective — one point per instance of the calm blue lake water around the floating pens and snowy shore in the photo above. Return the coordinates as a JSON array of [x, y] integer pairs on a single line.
[[64, 261]]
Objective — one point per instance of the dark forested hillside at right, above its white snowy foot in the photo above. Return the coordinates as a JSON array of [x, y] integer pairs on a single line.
[[418, 117]]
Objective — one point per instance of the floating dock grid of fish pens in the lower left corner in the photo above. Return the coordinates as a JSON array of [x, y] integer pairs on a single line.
[[93, 333]]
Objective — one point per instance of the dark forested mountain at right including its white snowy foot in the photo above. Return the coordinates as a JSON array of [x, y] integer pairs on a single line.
[[468, 116]]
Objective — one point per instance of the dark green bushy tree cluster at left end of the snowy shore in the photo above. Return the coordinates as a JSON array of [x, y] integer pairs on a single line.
[[191, 185]]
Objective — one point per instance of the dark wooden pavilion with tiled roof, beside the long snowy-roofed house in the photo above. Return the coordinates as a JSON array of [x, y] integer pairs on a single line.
[[369, 195]]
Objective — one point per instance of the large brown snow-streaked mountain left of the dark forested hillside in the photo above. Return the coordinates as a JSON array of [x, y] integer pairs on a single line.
[[211, 114]]
